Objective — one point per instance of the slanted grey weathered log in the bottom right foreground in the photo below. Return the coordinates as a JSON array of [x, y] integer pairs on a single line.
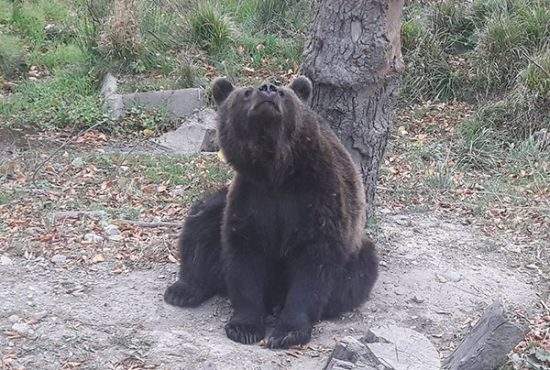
[[488, 343]]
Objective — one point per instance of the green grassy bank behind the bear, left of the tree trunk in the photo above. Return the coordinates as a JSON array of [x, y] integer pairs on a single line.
[[169, 44]]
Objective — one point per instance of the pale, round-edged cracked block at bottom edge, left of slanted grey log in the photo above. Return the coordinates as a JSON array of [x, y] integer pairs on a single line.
[[385, 347]]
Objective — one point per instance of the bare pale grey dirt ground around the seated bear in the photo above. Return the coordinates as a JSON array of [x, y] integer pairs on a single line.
[[437, 275]]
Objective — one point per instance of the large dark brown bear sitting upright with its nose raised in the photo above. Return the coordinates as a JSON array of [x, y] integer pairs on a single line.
[[286, 237]]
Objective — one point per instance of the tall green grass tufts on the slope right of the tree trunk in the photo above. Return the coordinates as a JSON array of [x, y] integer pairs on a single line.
[[493, 54]]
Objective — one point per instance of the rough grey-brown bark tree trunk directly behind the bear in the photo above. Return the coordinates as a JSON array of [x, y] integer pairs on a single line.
[[353, 58]]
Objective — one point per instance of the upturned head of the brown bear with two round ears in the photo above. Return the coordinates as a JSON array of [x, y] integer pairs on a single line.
[[258, 127]]
